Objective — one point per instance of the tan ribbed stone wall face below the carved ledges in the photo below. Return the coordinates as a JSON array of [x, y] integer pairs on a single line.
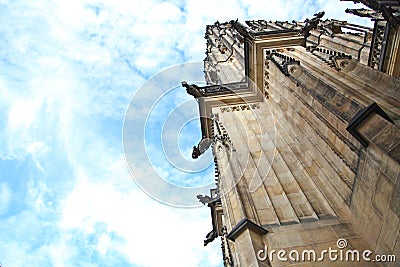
[[293, 168]]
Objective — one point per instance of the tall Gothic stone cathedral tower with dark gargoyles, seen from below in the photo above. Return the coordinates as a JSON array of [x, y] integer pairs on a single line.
[[303, 122]]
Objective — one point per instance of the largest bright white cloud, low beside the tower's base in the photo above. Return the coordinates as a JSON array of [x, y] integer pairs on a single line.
[[151, 232]]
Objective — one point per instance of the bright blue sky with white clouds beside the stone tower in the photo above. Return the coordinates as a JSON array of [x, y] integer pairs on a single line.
[[74, 77]]
